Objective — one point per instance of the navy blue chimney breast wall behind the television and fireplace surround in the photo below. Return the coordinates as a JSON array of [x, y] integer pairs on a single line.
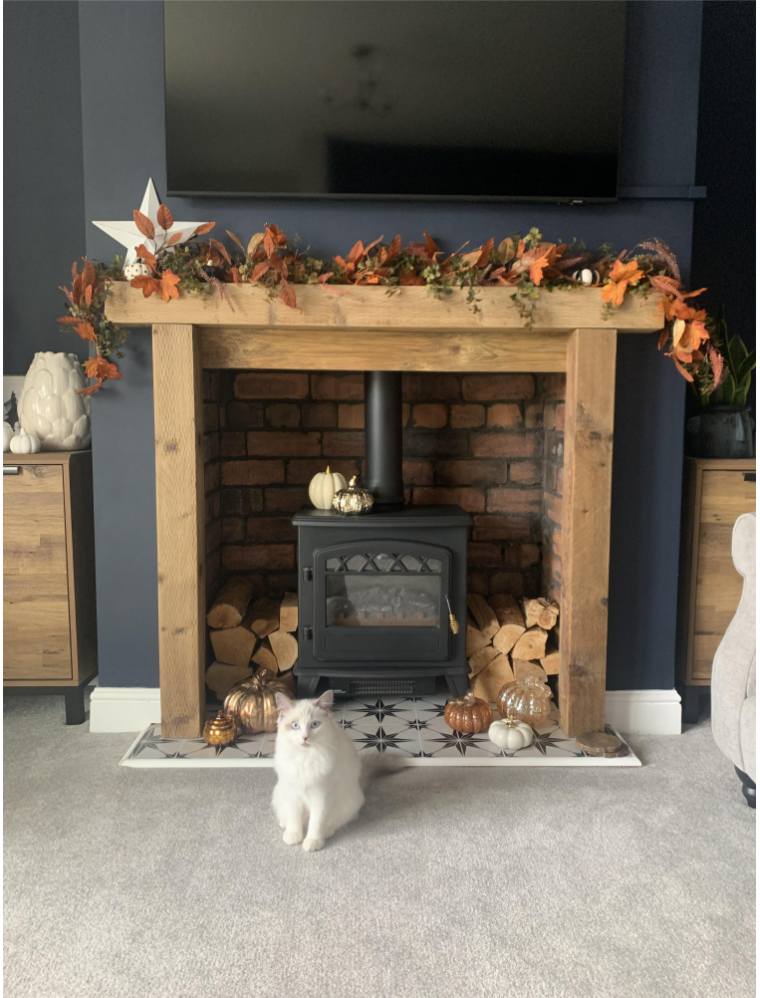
[[121, 45]]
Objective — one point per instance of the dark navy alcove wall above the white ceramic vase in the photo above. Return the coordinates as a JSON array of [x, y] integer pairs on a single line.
[[43, 179]]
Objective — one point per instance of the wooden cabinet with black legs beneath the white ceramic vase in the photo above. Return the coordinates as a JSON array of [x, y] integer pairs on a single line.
[[49, 620]]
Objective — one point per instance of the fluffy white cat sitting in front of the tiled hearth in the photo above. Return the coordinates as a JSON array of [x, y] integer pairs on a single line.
[[318, 772]]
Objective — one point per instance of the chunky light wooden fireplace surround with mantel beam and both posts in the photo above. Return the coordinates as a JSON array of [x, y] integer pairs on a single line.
[[366, 328]]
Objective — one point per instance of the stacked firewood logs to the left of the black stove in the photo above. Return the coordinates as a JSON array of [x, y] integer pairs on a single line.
[[247, 634]]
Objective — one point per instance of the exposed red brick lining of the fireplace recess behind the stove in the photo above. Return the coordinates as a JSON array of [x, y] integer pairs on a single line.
[[491, 443]]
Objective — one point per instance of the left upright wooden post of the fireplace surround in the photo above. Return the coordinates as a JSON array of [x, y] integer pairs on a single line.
[[180, 527]]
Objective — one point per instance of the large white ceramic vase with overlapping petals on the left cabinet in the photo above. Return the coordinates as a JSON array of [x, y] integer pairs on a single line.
[[49, 405]]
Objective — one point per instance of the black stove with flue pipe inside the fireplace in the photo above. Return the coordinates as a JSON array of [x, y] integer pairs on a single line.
[[382, 596]]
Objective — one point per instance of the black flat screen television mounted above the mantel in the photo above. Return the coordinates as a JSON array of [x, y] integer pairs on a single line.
[[428, 99]]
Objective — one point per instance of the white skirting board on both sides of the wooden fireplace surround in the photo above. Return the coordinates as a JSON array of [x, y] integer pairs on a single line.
[[634, 712]]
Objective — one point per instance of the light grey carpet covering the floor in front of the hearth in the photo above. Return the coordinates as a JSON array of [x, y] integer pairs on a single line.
[[538, 883]]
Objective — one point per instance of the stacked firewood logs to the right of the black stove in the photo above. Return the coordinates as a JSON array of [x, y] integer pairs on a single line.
[[508, 639]]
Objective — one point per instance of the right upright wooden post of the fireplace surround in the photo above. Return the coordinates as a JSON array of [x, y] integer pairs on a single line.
[[590, 408]]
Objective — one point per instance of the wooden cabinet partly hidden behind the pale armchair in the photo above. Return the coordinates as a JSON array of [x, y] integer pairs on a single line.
[[716, 492]]
